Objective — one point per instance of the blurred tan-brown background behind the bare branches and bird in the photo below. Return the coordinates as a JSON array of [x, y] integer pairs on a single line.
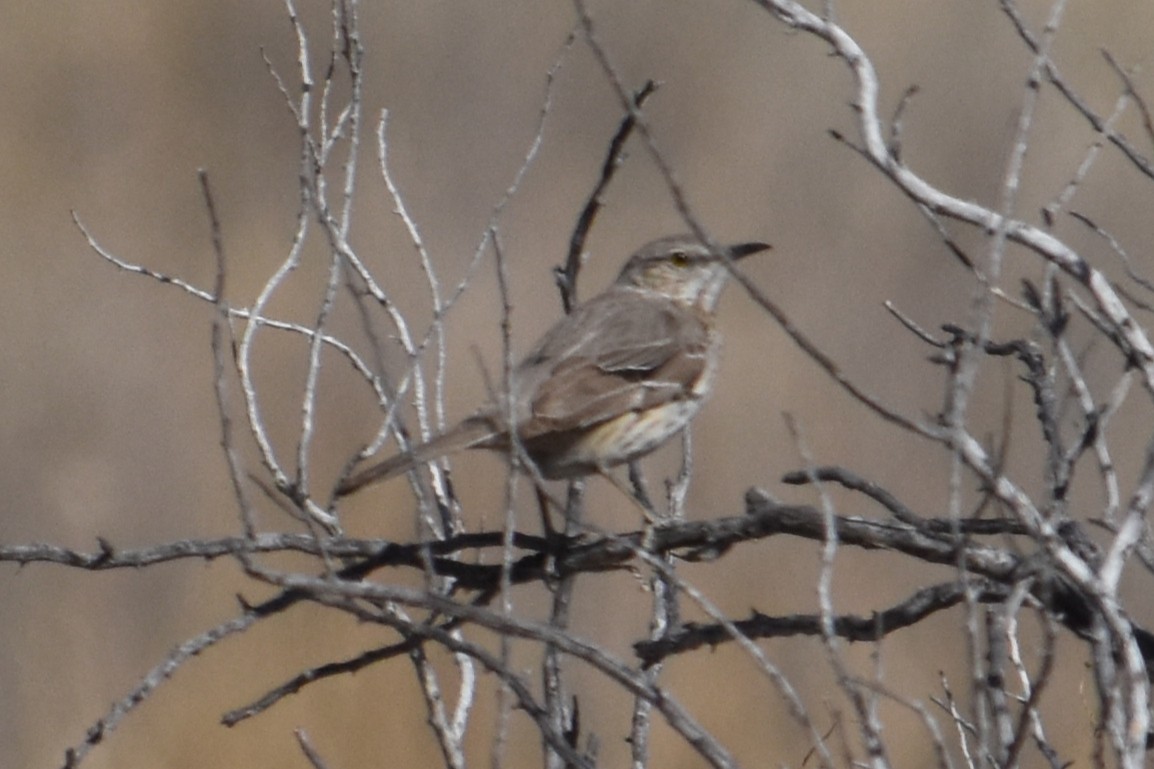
[[108, 421]]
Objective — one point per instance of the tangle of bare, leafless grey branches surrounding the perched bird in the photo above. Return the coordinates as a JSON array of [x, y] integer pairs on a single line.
[[1043, 559]]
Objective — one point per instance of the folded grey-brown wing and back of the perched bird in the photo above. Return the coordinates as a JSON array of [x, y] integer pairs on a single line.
[[610, 359]]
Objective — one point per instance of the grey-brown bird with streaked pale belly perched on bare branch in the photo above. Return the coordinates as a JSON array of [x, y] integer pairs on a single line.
[[610, 383]]
